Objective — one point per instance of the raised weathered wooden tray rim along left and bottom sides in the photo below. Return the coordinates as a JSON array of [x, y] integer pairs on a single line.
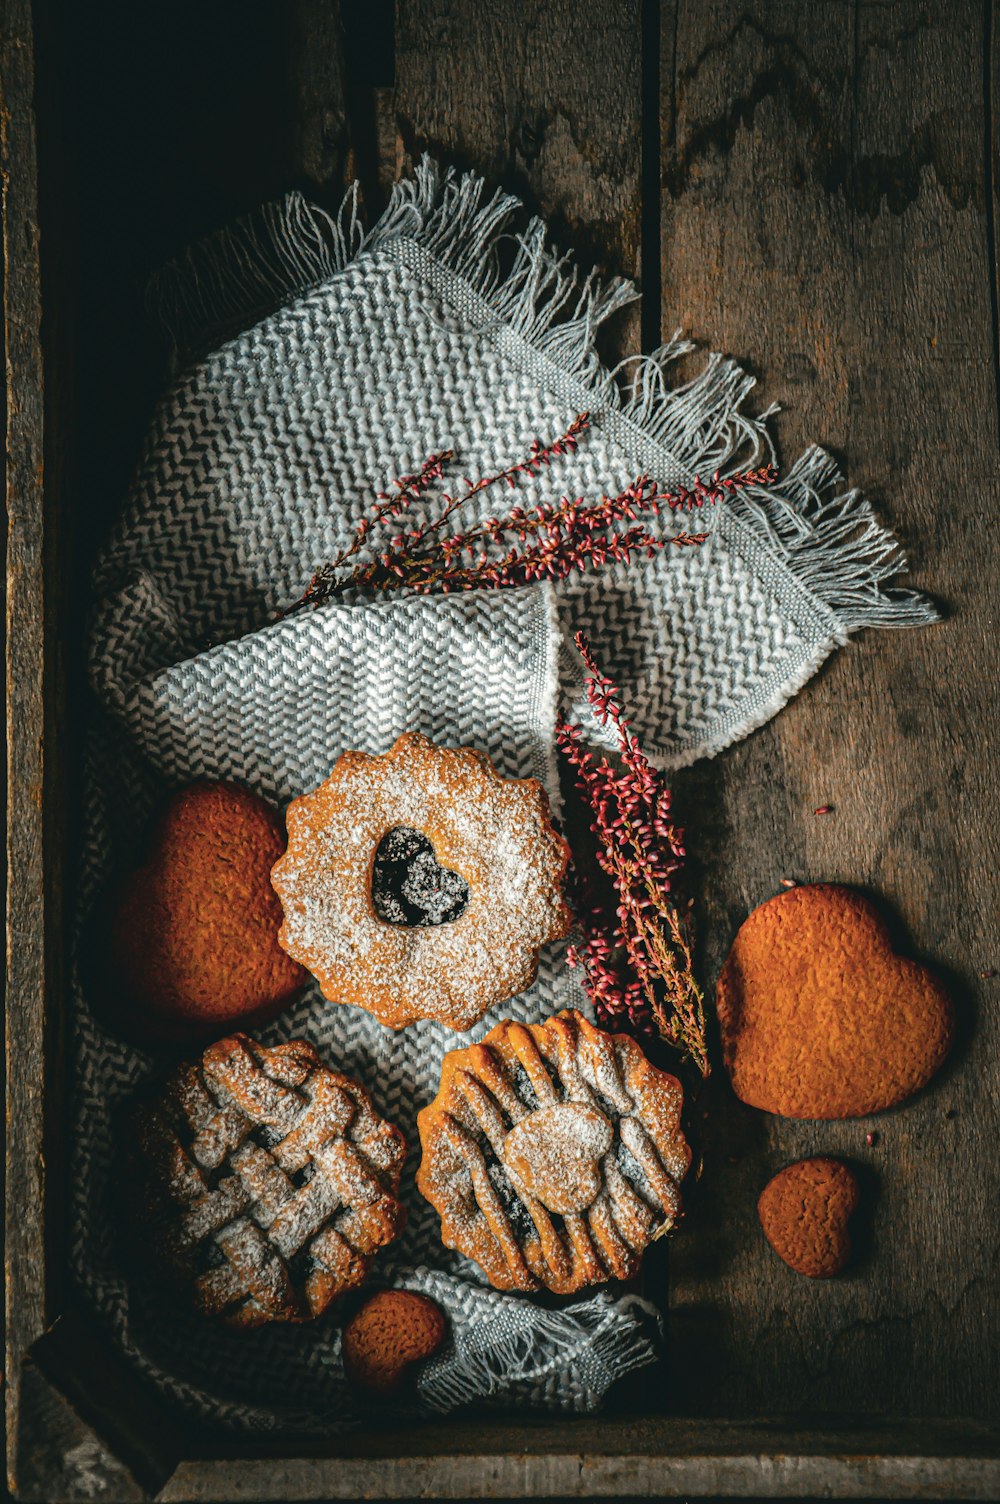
[[77, 1427]]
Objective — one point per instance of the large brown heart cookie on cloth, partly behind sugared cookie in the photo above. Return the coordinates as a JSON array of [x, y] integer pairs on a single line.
[[190, 944]]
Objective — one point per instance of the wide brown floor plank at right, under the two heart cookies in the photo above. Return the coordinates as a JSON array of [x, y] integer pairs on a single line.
[[826, 220]]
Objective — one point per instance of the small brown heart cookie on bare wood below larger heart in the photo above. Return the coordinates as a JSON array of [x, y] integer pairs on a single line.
[[805, 1211]]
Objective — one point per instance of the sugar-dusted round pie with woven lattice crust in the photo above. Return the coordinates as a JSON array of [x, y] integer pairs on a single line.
[[268, 1181]]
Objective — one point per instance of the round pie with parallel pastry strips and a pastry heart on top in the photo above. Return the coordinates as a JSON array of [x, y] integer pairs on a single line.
[[554, 1154]]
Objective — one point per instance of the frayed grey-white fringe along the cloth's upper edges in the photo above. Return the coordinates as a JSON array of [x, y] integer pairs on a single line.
[[826, 535]]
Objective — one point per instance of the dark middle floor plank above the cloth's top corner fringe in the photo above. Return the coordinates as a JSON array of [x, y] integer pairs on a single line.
[[512, 92]]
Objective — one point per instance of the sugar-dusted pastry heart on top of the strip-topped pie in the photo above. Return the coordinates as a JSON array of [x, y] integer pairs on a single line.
[[557, 1153]]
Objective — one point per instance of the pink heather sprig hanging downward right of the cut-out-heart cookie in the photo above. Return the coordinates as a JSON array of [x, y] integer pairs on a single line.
[[637, 951]]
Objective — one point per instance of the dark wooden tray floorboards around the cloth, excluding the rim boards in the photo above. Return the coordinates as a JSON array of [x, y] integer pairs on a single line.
[[807, 187]]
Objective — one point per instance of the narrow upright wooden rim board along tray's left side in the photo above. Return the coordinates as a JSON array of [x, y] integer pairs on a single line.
[[25, 643]]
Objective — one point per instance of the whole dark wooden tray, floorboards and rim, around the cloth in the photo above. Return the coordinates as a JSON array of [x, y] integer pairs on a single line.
[[819, 190]]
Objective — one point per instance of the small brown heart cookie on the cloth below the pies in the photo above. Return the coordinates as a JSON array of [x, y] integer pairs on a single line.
[[392, 1333]]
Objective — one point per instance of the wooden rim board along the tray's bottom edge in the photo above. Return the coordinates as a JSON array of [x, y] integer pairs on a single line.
[[617, 1460]]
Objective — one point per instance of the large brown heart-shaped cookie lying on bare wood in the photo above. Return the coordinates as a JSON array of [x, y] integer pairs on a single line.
[[820, 1017]]
